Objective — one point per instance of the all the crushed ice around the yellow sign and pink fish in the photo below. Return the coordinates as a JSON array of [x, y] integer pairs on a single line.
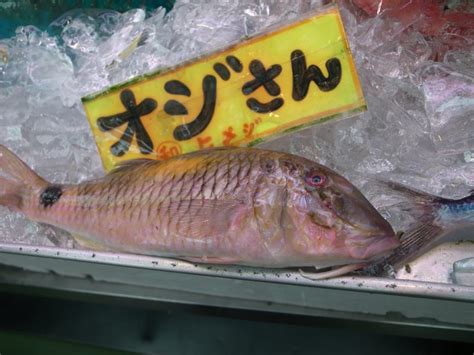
[[419, 129]]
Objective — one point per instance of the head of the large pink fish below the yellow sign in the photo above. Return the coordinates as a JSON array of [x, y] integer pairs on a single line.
[[331, 217]]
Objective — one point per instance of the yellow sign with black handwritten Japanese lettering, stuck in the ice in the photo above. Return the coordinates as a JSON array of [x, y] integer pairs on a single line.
[[265, 85]]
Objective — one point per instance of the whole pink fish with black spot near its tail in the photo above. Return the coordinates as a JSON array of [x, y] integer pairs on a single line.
[[226, 205]]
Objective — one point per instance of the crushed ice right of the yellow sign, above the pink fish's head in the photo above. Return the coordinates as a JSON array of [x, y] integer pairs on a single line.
[[419, 129]]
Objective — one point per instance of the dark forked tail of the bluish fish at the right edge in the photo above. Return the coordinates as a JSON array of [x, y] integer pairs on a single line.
[[432, 225]]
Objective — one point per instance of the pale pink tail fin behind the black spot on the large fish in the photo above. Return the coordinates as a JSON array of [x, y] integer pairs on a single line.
[[16, 180]]
